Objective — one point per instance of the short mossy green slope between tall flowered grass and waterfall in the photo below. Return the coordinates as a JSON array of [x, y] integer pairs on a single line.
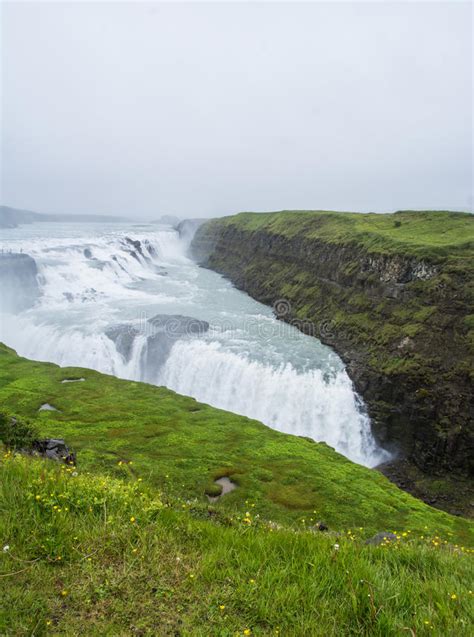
[[180, 446]]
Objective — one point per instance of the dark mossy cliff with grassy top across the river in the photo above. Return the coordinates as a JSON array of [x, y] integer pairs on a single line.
[[392, 293]]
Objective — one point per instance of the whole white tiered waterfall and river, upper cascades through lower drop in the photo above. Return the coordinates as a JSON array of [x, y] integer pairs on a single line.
[[127, 301]]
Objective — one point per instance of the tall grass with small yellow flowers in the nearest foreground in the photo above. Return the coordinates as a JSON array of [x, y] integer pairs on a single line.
[[102, 556]]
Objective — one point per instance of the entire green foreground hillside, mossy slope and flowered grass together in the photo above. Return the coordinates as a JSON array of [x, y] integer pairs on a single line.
[[126, 543]]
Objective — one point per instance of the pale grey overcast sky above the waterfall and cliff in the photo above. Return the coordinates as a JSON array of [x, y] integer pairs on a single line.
[[207, 109]]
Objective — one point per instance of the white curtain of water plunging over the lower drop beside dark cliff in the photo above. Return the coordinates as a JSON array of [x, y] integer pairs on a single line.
[[302, 404]]
